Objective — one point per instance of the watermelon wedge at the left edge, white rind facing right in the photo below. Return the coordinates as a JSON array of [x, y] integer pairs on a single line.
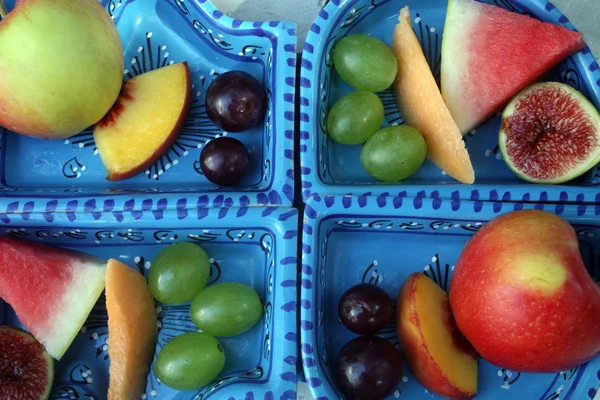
[[51, 290]]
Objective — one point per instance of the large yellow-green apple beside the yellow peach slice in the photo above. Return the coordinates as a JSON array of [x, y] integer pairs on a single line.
[[61, 67]]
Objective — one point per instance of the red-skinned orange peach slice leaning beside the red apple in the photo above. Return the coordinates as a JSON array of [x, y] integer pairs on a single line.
[[433, 349]]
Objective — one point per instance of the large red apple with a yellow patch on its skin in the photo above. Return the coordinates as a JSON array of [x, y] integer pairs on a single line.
[[522, 296]]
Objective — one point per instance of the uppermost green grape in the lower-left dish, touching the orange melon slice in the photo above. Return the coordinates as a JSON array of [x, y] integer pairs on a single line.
[[179, 273]]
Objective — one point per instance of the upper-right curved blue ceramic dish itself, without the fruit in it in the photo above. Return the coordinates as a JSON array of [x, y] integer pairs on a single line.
[[331, 168]]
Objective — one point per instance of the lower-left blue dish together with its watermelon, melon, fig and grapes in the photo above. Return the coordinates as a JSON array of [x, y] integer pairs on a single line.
[[131, 345]]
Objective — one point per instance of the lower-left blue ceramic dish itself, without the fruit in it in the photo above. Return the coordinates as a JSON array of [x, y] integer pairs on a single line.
[[256, 247]]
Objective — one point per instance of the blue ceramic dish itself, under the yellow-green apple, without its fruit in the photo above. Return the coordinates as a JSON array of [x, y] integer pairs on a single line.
[[156, 33]]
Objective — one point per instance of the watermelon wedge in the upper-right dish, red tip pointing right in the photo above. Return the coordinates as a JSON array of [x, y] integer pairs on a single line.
[[490, 54]]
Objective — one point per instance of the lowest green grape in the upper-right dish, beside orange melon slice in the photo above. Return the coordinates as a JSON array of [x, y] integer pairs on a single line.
[[394, 153]]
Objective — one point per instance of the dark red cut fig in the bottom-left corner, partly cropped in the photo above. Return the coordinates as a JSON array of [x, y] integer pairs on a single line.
[[26, 369]]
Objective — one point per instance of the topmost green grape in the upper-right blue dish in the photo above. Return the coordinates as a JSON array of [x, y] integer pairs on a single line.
[[365, 63]]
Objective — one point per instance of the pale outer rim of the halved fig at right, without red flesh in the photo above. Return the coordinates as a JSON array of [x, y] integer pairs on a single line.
[[586, 106]]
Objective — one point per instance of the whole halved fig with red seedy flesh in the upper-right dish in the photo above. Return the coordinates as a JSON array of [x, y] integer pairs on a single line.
[[550, 134]]
